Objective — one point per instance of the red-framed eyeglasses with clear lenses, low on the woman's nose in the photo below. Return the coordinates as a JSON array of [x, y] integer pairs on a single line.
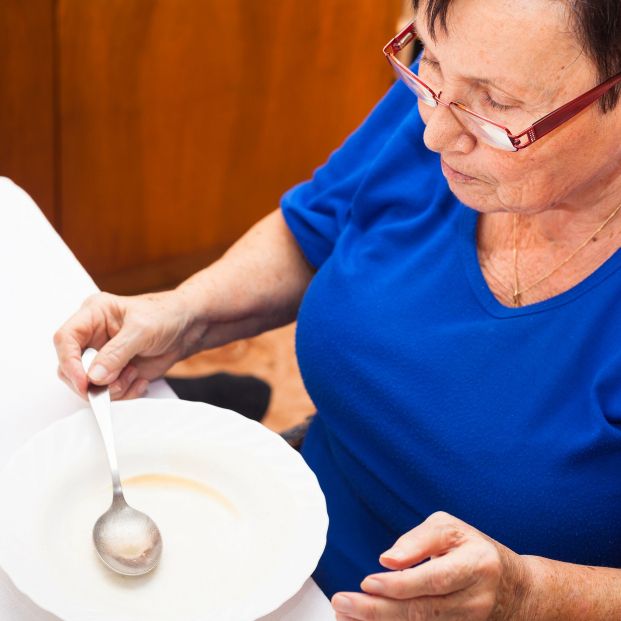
[[488, 131]]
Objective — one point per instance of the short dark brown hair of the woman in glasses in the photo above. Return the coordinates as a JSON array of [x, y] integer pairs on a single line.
[[597, 25]]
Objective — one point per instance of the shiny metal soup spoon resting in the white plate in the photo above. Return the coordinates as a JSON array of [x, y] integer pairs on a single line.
[[127, 541]]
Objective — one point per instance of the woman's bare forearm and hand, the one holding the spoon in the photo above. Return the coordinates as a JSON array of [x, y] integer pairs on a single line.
[[255, 286]]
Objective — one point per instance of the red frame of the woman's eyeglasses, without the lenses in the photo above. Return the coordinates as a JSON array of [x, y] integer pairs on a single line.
[[533, 133]]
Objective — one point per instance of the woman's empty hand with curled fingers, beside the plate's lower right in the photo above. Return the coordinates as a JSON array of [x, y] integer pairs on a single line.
[[468, 576]]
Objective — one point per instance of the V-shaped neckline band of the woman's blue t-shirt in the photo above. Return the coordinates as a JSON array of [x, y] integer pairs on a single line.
[[468, 232]]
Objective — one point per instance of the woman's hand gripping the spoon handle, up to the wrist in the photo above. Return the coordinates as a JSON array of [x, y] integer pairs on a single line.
[[138, 338]]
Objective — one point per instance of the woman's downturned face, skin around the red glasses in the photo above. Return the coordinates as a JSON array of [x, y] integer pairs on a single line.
[[515, 61]]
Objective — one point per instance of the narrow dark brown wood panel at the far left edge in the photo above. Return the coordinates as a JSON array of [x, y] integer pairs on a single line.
[[27, 99]]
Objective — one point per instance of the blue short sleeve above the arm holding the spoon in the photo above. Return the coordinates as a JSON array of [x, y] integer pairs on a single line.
[[317, 210]]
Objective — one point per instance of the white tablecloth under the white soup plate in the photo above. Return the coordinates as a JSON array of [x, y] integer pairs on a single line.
[[41, 284]]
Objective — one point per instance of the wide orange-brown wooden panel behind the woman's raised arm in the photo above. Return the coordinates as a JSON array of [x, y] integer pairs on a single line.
[[183, 121]]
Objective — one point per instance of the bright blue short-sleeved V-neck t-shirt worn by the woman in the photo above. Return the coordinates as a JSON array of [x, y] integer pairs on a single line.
[[432, 395]]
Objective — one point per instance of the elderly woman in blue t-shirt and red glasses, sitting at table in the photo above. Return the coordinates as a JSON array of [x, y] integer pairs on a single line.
[[455, 275]]
